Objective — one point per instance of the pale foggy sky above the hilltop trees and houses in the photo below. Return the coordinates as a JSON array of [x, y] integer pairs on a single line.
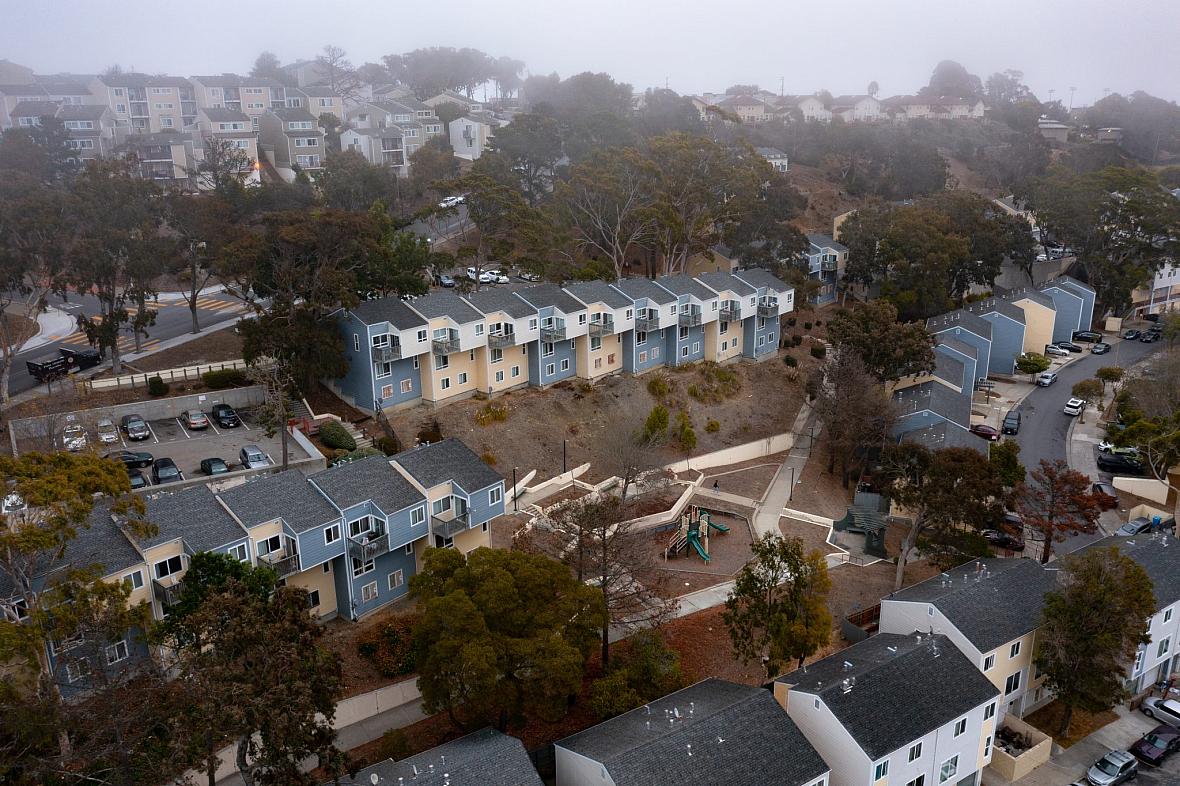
[[1093, 45]]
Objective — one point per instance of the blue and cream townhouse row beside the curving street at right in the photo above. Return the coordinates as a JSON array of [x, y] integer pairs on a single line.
[[980, 340]]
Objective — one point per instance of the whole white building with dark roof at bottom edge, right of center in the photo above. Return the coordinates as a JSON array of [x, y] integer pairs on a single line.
[[896, 710]]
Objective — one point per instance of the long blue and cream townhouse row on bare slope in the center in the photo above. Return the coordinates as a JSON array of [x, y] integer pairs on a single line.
[[445, 346]]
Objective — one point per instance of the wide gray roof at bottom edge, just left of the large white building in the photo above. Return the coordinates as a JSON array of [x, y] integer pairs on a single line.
[[739, 737]]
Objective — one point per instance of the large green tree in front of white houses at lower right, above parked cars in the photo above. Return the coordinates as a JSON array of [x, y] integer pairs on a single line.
[[1092, 626]]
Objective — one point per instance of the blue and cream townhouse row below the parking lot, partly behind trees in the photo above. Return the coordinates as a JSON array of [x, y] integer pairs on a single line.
[[351, 536]]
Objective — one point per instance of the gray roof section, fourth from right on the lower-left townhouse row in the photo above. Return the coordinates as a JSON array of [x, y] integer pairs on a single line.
[[194, 515]]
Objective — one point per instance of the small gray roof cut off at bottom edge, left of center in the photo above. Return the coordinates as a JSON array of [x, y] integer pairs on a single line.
[[484, 758]]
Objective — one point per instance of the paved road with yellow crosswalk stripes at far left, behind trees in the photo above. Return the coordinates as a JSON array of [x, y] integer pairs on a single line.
[[173, 319]]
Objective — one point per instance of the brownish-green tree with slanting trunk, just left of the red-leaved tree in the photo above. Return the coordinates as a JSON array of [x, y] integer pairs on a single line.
[[943, 492]]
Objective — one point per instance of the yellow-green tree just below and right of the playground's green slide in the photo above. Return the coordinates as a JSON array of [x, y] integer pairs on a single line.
[[778, 610]]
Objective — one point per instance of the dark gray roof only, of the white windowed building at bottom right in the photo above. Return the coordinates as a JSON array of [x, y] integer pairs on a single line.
[[904, 689]]
